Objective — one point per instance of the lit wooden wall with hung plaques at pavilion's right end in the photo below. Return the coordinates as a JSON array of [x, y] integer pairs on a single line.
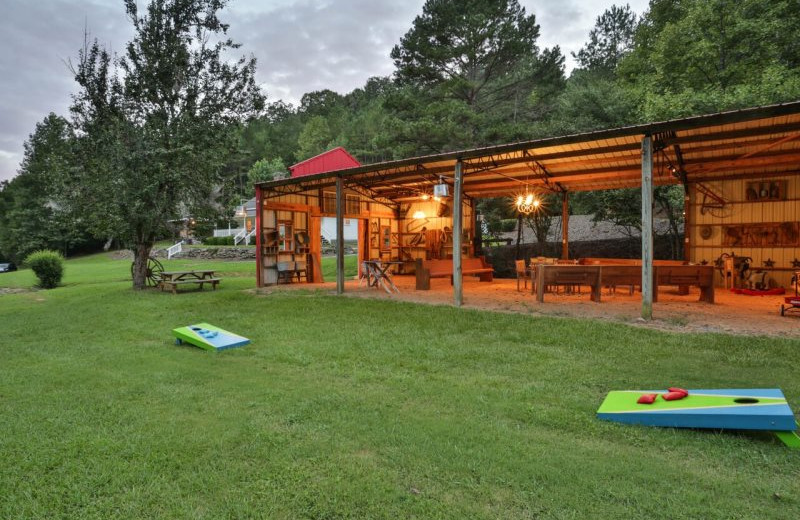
[[751, 223]]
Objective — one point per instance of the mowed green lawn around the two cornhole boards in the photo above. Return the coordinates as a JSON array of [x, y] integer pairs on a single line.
[[351, 408]]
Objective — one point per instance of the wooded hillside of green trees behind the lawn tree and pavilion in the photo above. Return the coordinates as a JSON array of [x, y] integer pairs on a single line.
[[470, 73]]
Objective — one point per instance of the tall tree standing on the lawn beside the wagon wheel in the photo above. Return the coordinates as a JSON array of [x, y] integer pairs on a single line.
[[154, 134]]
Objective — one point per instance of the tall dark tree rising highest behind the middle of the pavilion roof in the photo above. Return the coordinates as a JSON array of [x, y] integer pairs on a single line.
[[471, 73]]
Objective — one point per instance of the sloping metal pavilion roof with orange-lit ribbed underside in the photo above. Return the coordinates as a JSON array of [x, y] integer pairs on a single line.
[[761, 141]]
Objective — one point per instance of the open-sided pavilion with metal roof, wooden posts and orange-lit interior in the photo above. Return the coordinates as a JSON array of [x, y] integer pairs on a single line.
[[739, 170]]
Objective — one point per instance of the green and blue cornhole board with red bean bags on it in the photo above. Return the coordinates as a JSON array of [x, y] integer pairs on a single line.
[[721, 409]]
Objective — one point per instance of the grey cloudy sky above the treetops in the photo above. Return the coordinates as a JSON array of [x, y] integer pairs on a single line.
[[301, 45]]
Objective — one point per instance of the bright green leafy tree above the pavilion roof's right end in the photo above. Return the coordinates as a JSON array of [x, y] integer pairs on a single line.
[[704, 56]]
